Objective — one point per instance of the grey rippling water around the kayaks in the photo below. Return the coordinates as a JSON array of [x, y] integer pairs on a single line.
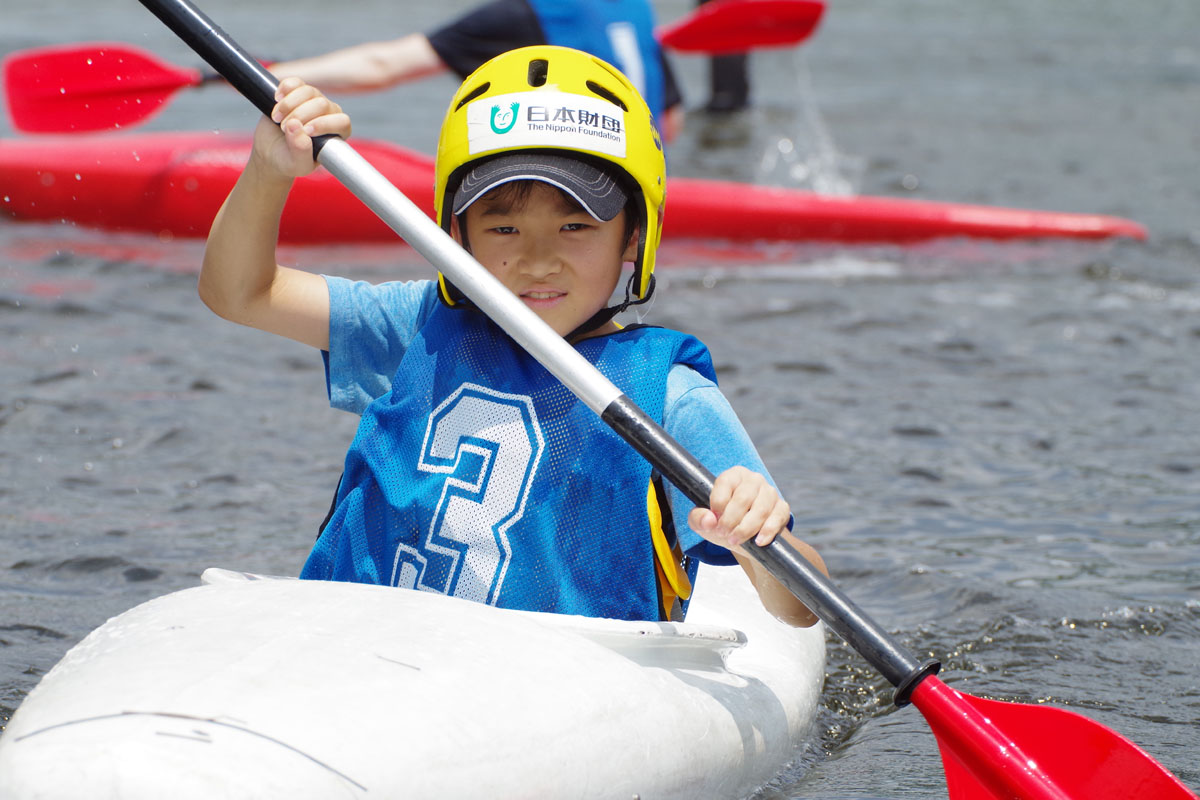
[[994, 446]]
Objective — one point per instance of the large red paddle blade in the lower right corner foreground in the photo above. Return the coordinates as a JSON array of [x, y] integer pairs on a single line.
[[1013, 751]]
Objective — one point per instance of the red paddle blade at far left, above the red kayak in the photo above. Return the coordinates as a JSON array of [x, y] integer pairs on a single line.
[[88, 87]]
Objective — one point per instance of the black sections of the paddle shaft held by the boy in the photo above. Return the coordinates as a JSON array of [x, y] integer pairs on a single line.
[[646, 436]]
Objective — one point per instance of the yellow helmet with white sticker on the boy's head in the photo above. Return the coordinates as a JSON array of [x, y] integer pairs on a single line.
[[554, 103]]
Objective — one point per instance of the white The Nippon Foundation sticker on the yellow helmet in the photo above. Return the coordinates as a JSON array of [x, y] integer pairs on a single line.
[[547, 119]]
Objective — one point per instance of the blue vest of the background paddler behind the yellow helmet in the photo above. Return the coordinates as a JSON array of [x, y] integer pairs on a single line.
[[620, 32]]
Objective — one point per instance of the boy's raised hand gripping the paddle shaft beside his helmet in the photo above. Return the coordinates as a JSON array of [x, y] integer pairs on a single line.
[[284, 143]]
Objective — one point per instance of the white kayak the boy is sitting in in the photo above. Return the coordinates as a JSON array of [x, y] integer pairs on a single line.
[[249, 688]]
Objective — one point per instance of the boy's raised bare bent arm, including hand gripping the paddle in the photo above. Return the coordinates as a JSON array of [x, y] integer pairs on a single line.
[[241, 279]]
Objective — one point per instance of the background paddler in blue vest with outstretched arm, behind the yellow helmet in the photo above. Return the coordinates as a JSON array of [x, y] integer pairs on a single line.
[[620, 32]]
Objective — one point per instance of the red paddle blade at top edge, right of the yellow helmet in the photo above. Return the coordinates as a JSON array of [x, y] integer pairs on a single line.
[[740, 26]]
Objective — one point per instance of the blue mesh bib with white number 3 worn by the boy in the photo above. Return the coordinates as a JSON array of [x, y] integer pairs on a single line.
[[481, 476]]
